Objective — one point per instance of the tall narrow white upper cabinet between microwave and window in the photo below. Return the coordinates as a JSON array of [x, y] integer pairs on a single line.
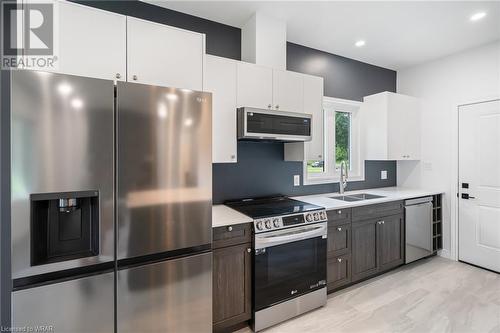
[[313, 104]]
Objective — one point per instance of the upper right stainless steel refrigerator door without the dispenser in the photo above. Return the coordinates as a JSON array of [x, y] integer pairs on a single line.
[[164, 169]]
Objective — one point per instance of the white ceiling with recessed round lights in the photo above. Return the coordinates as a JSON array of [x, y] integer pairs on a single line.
[[398, 34]]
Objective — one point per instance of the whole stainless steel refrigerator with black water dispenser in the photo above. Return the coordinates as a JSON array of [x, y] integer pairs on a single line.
[[111, 205]]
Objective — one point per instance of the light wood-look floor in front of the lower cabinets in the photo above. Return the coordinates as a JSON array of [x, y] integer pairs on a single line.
[[431, 295]]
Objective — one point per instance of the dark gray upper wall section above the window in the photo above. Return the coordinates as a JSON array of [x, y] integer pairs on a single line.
[[344, 78]]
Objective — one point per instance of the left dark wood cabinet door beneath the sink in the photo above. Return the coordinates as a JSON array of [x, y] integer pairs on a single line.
[[364, 249]]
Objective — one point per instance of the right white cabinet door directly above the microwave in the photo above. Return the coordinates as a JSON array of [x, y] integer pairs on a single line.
[[288, 91]]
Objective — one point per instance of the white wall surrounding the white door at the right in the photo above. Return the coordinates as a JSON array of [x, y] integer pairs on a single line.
[[442, 85]]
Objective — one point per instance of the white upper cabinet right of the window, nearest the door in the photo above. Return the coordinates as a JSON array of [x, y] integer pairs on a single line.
[[390, 127]]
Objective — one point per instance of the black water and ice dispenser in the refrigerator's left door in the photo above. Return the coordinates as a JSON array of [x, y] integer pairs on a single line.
[[64, 226]]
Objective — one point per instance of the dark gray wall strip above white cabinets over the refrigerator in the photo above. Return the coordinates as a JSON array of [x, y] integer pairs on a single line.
[[221, 40]]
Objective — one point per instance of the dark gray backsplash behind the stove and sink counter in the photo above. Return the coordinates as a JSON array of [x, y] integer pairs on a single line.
[[261, 171]]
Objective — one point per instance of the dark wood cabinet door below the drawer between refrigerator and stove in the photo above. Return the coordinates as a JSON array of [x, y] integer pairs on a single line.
[[232, 279]]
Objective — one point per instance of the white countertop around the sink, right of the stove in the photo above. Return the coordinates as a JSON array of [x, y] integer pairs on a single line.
[[388, 193]]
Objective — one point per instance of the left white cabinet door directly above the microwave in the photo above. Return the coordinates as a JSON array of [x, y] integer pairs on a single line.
[[254, 86]]
